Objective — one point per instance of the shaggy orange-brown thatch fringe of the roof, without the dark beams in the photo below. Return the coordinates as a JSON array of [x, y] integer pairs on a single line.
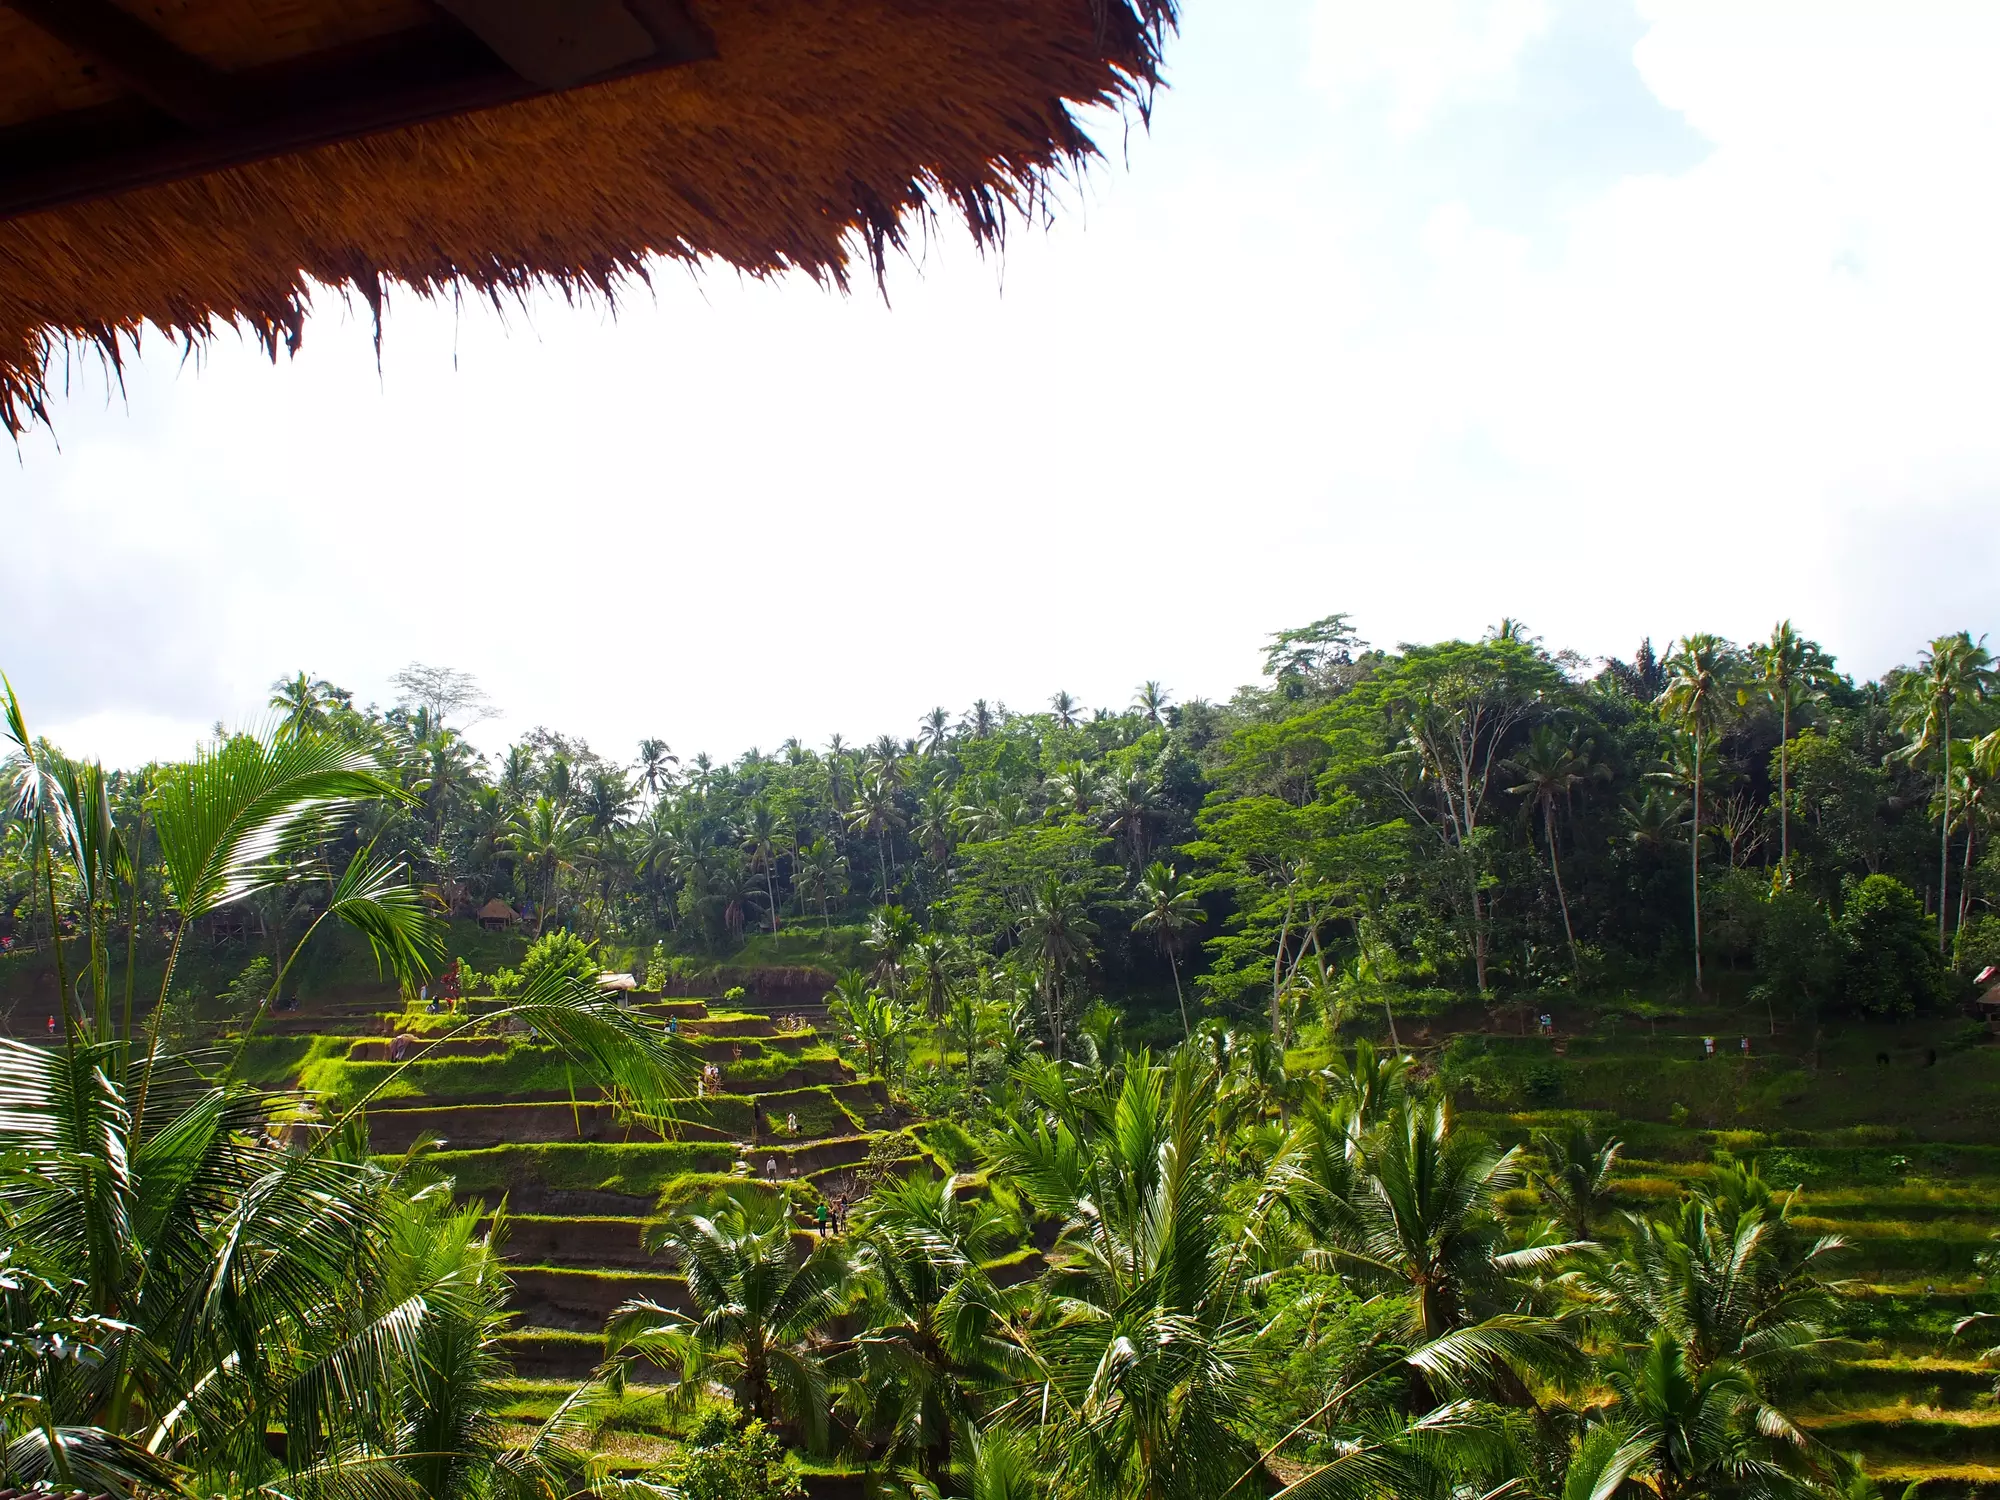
[[819, 135]]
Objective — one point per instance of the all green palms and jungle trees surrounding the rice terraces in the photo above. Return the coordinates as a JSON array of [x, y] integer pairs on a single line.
[[1199, 1237]]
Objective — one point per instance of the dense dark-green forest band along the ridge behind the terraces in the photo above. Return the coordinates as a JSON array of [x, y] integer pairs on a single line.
[[1487, 819]]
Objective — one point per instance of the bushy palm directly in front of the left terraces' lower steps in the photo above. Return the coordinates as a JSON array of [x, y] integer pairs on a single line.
[[761, 1313]]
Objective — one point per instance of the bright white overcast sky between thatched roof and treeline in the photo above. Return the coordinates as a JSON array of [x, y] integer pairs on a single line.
[[1621, 321]]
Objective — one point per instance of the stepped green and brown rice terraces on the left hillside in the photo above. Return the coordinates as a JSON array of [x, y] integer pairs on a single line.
[[579, 1179]]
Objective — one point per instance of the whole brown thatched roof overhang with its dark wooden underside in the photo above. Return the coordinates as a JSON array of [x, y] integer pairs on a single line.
[[179, 163]]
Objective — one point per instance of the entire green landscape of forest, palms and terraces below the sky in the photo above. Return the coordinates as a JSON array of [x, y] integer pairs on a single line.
[[1445, 1067]]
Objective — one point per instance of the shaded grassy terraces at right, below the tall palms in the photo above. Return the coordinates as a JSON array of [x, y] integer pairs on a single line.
[[1897, 1157]]
